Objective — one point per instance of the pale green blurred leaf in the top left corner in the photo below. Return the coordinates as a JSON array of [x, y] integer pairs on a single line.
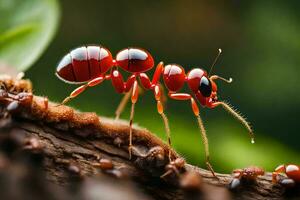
[[26, 28]]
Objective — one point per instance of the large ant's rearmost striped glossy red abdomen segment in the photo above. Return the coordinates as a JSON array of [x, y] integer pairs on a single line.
[[84, 63]]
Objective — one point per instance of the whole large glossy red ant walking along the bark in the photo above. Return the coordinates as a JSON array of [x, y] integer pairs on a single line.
[[89, 64]]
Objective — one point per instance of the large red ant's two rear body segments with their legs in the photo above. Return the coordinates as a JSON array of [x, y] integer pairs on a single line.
[[88, 65]]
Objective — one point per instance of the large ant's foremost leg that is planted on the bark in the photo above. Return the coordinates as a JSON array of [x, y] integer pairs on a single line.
[[195, 108]]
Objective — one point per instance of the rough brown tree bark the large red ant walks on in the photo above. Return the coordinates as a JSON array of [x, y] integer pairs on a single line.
[[54, 152]]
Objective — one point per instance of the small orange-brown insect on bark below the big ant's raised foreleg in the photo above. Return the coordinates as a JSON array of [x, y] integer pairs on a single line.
[[247, 174]]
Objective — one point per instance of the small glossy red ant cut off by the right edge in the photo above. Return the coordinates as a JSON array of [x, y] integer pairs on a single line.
[[292, 173]]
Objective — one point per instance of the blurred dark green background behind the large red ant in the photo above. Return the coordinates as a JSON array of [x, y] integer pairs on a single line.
[[261, 45]]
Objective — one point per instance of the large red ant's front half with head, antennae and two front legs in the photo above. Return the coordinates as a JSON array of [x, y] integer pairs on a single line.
[[204, 88]]
